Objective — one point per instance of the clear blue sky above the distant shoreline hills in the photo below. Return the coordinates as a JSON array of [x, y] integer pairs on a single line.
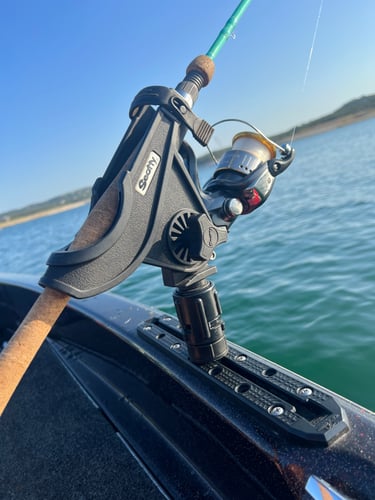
[[70, 69]]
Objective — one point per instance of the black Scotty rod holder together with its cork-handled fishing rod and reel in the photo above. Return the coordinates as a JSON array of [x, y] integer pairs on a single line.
[[148, 208]]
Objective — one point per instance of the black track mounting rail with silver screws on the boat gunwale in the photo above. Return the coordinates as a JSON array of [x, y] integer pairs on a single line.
[[279, 398]]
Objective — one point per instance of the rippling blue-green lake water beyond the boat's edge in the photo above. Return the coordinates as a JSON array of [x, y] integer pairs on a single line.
[[296, 279]]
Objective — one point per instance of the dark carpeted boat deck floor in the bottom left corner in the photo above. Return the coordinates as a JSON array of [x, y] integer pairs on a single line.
[[56, 453]]
